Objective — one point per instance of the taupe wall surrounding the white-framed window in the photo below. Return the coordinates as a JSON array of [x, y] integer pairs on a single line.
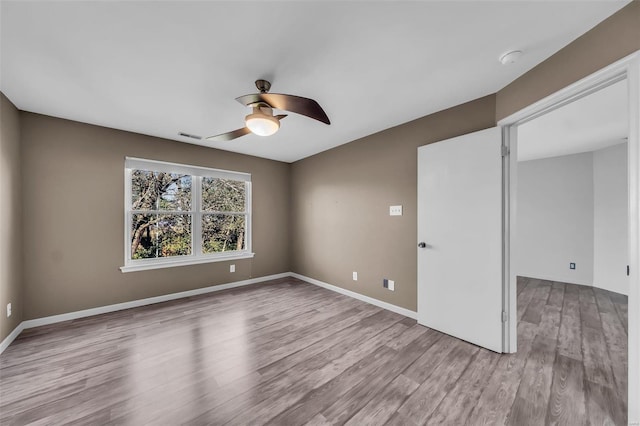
[[73, 216]]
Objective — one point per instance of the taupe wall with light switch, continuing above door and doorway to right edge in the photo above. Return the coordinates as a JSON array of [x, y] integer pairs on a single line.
[[341, 197]]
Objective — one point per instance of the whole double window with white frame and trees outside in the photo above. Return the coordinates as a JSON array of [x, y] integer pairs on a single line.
[[177, 214]]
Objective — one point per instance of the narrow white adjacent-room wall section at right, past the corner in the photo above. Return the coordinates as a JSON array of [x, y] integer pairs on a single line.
[[610, 219]]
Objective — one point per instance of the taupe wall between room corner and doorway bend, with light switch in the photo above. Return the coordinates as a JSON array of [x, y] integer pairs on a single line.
[[341, 198]]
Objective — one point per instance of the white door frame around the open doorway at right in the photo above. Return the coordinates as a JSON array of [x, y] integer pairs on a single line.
[[627, 68]]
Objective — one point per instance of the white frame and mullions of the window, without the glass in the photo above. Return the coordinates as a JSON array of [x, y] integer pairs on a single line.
[[196, 212]]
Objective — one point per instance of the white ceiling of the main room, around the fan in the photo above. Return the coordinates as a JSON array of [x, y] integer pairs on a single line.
[[159, 68]]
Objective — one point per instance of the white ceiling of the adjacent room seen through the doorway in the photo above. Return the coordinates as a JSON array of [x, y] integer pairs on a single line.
[[593, 122]]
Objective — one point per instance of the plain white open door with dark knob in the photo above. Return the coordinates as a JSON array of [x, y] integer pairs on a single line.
[[460, 236]]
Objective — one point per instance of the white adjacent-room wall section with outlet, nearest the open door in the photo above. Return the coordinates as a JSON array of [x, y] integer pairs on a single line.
[[555, 218]]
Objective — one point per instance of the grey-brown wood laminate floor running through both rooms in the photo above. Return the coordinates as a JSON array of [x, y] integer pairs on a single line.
[[291, 353]]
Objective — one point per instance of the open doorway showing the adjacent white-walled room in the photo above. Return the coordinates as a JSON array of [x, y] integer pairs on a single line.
[[571, 251]]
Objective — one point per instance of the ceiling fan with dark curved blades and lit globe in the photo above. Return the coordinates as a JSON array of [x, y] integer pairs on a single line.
[[261, 121]]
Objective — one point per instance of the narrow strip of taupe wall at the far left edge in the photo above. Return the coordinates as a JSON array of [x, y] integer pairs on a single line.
[[10, 218]]
